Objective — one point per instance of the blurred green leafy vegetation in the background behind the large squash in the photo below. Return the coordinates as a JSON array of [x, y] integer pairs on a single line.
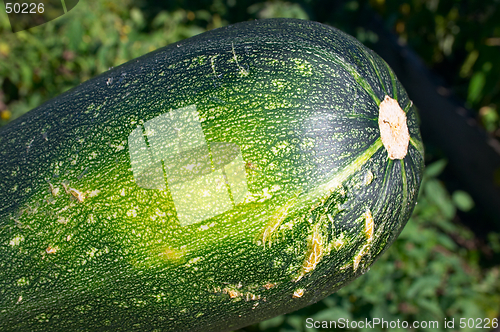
[[438, 267]]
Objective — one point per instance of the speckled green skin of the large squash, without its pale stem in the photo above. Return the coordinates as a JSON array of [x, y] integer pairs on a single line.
[[299, 98]]
